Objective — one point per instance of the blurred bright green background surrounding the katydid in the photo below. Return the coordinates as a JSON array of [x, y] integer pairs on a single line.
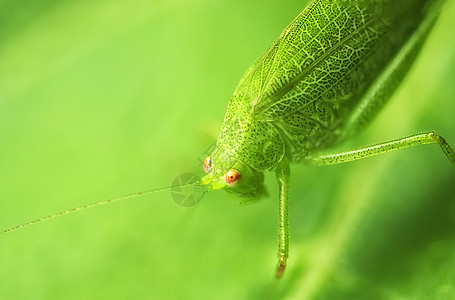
[[104, 98]]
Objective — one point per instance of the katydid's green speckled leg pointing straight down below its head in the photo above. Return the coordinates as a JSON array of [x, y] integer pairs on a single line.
[[283, 175]]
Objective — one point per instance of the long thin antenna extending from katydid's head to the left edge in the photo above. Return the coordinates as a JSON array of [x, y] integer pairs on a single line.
[[90, 205]]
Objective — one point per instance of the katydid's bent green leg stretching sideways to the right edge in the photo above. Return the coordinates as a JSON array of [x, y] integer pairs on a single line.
[[413, 140]]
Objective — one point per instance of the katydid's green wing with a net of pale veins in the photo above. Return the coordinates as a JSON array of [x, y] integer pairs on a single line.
[[327, 57]]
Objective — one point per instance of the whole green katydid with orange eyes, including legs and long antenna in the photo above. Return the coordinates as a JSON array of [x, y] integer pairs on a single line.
[[326, 76]]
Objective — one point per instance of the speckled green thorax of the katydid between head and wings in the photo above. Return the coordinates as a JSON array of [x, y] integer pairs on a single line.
[[263, 143]]
